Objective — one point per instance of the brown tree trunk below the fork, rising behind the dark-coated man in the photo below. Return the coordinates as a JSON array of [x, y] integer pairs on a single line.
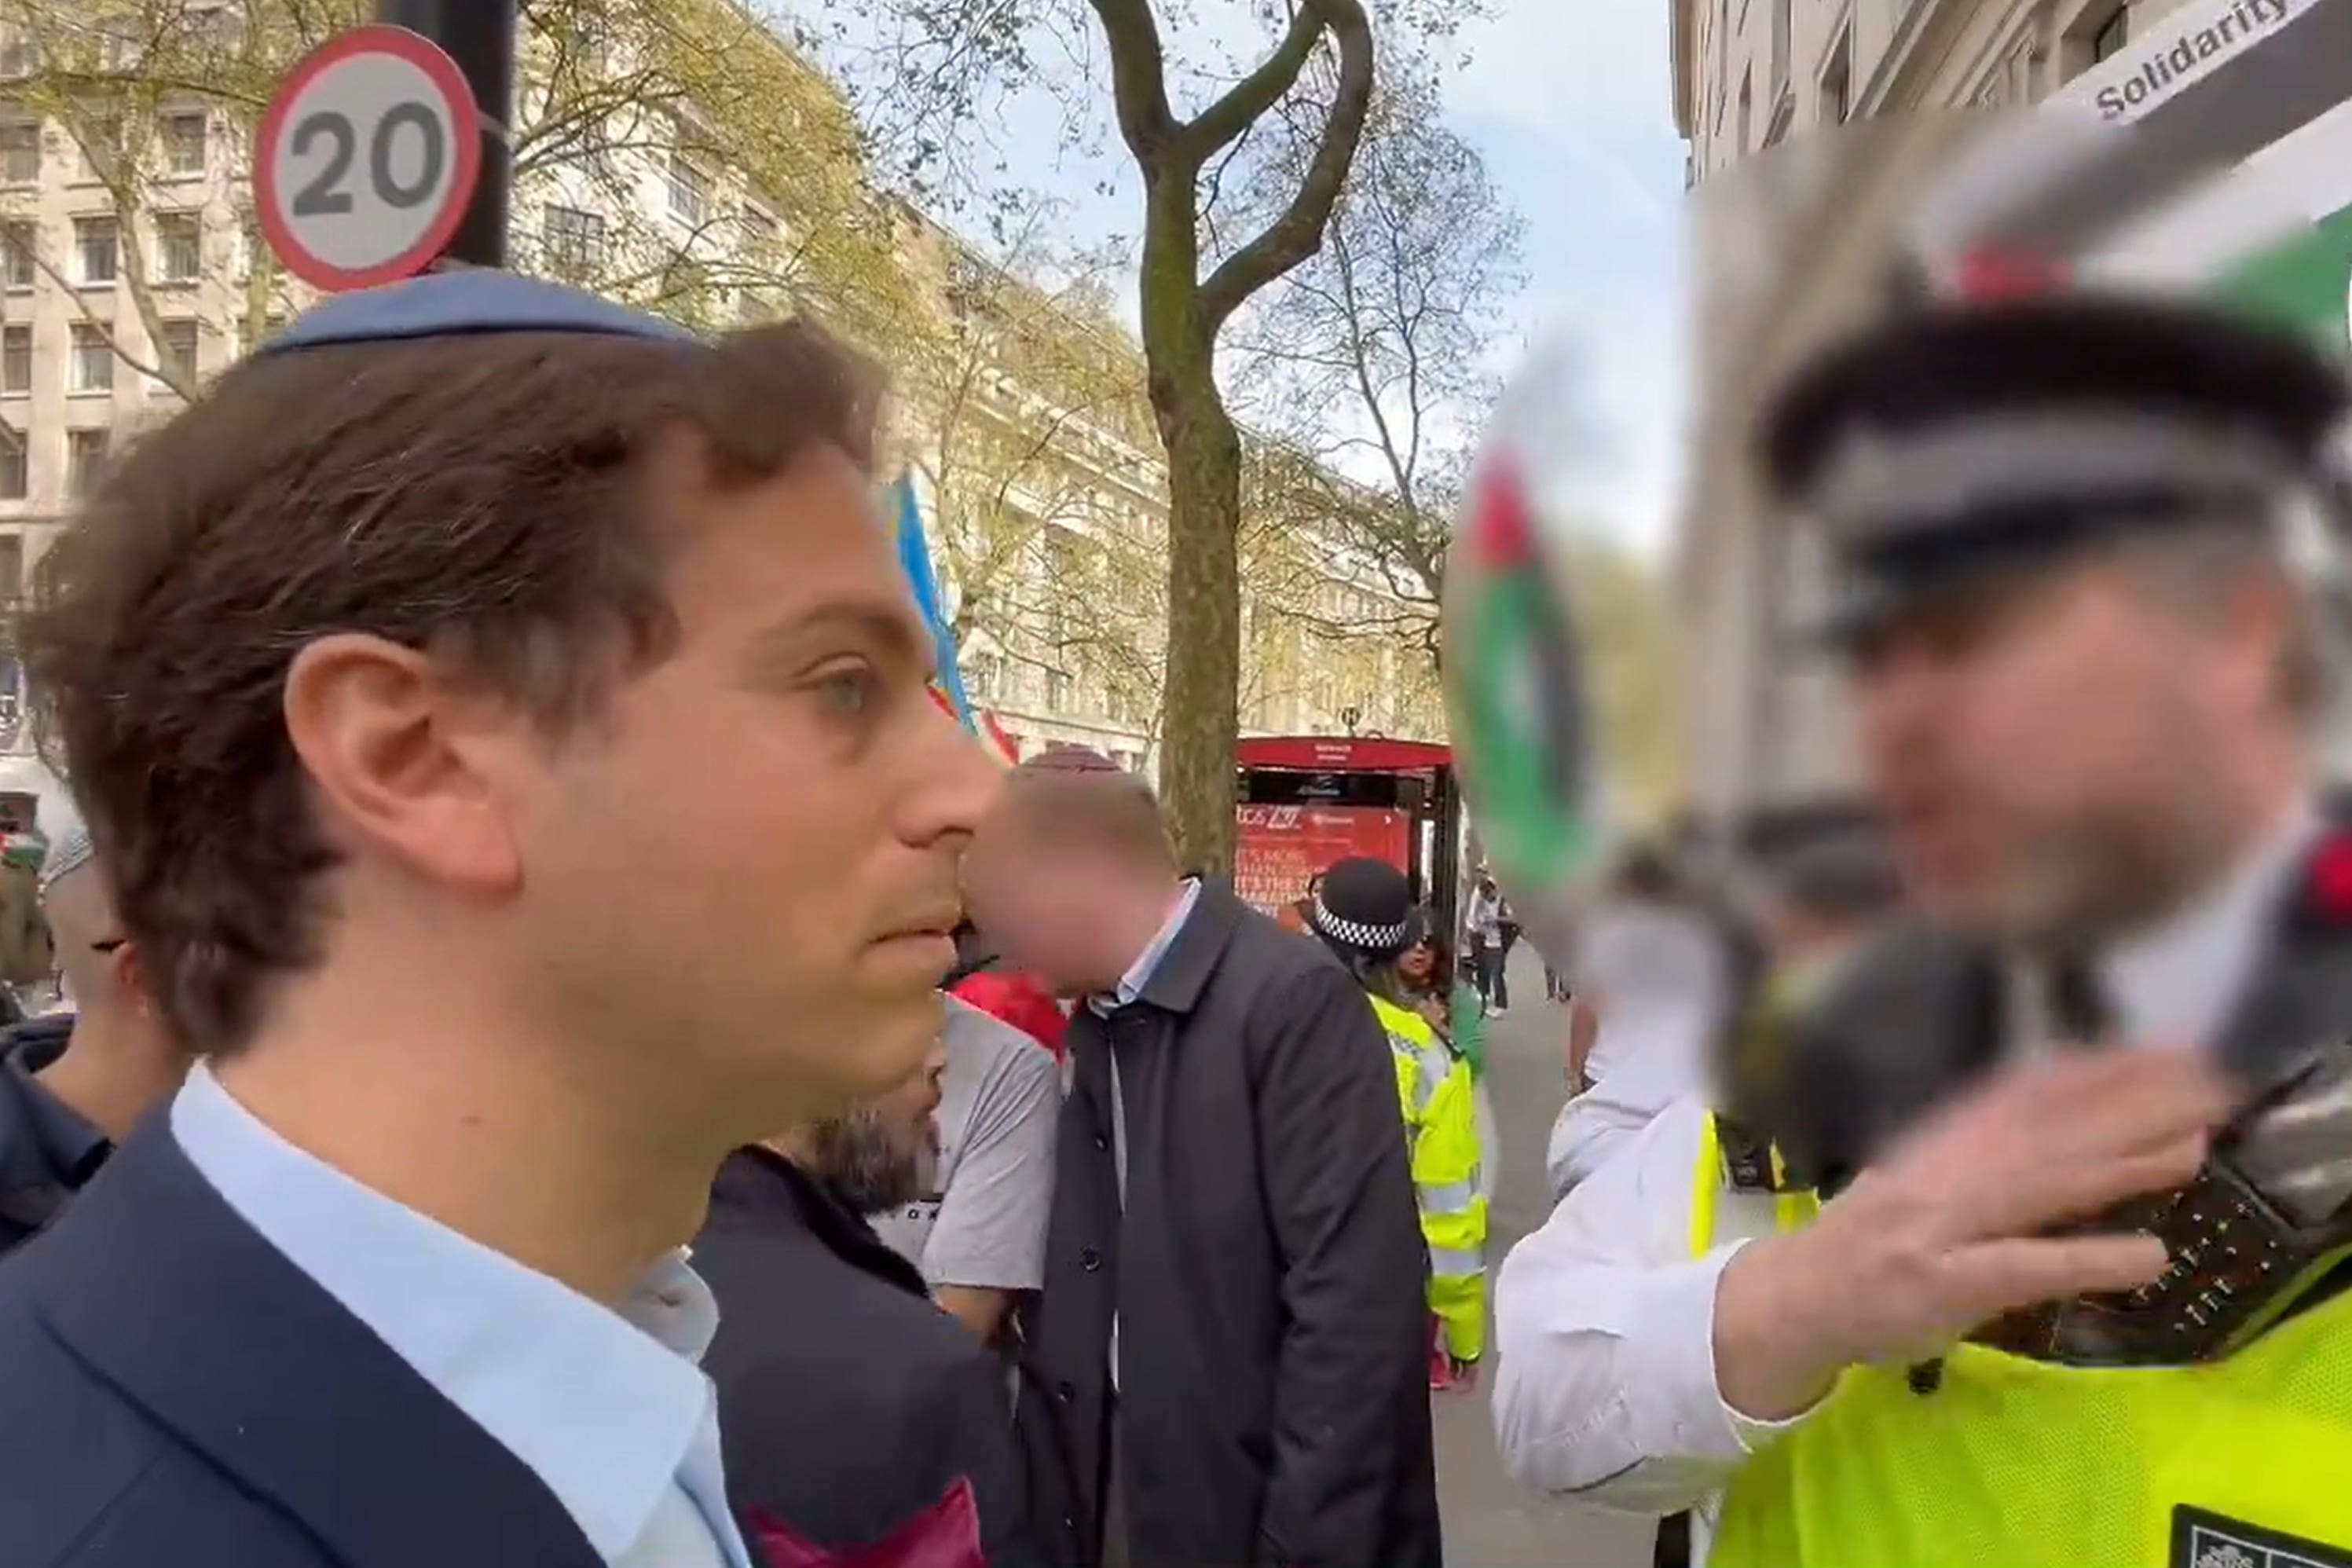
[[1205, 626]]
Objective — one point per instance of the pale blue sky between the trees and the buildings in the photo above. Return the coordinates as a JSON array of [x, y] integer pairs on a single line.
[[1570, 102]]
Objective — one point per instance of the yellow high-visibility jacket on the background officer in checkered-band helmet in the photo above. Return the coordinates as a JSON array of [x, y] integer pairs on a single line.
[[1441, 1137]]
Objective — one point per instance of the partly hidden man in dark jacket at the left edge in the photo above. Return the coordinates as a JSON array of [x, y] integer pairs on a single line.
[[74, 1085]]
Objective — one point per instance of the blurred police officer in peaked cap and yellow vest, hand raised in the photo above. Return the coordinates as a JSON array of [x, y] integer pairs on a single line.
[[2083, 544]]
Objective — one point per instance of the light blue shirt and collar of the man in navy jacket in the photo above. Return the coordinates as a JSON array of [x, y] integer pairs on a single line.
[[603, 1407]]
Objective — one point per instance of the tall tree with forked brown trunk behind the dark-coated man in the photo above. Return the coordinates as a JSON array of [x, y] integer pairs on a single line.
[[1196, 276]]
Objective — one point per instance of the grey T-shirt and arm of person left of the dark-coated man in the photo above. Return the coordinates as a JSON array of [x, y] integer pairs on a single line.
[[977, 1221]]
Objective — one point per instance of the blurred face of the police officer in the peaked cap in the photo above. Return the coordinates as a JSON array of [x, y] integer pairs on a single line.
[[2054, 751]]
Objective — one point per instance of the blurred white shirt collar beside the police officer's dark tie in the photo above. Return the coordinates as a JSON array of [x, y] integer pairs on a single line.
[[2181, 979]]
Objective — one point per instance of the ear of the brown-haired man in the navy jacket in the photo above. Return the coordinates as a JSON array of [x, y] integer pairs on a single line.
[[396, 763]]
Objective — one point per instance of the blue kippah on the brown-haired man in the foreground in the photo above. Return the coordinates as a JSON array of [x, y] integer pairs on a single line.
[[462, 304]]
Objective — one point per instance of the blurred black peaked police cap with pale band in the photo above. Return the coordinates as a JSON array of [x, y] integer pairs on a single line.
[[1963, 438]]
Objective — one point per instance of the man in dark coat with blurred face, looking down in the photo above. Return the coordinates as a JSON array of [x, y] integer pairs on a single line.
[[1229, 1360]]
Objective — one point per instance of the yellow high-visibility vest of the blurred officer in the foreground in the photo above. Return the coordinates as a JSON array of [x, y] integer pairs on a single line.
[[2014, 1463]]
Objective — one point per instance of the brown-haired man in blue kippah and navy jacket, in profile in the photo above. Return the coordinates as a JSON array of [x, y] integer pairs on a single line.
[[361, 666]]
